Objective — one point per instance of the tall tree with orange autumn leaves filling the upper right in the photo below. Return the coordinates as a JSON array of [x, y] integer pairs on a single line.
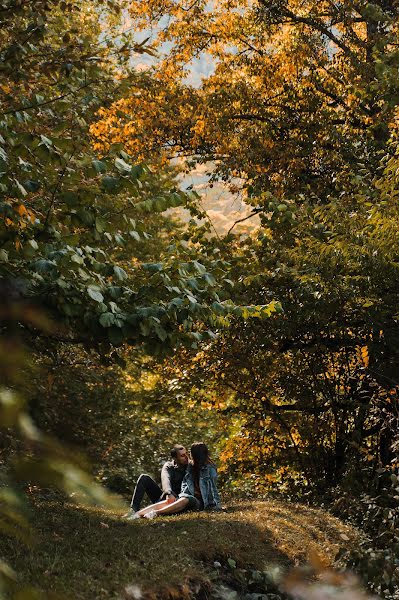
[[301, 93]]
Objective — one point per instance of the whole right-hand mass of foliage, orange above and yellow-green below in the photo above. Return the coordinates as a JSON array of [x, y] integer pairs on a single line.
[[301, 107]]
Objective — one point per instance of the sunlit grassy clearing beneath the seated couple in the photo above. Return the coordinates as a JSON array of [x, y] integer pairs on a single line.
[[89, 553]]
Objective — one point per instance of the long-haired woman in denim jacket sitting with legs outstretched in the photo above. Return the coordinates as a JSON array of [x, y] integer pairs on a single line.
[[198, 491]]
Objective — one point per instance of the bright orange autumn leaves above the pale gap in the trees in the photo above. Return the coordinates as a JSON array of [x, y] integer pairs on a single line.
[[240, 112]]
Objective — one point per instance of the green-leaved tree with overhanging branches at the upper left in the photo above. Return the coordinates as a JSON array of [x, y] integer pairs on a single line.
[[73, 220]]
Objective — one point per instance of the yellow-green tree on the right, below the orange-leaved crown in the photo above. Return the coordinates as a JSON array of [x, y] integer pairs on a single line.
[[313, 391]]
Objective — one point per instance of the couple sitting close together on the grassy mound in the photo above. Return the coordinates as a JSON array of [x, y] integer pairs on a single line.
[[186, 485]]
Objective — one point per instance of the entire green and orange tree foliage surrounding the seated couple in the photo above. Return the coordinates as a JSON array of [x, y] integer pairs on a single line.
[[299, 114]]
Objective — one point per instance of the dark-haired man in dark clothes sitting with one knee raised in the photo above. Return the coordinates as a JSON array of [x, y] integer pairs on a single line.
[[172, 475]]
